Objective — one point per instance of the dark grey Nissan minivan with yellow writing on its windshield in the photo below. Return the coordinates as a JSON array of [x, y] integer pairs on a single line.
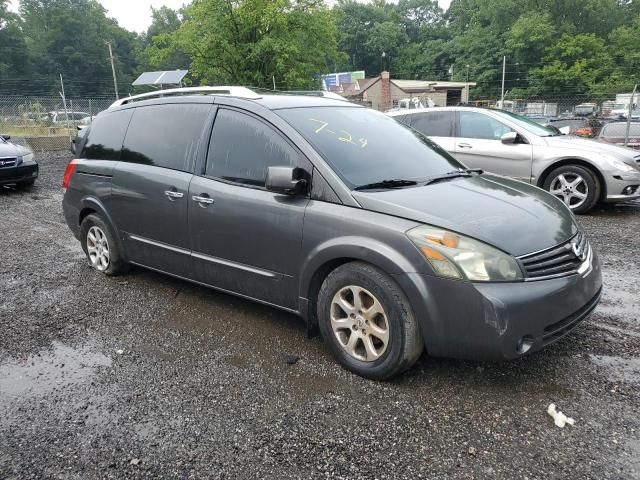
[[365, 228]]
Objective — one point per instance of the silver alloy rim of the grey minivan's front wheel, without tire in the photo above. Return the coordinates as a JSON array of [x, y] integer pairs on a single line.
[[360, 324]]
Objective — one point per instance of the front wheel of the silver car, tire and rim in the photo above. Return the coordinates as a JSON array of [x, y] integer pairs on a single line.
[[561, 183]]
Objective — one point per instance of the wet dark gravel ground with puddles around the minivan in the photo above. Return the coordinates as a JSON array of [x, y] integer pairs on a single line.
[[145, 376]]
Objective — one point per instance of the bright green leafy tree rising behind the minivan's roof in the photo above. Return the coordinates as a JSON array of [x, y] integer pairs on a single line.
[[250, 42]]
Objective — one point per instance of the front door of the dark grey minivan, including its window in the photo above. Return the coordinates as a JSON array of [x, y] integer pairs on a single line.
[[244, 238]]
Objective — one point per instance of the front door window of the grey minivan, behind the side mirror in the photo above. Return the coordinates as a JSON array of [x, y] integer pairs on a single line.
[[242, 148]]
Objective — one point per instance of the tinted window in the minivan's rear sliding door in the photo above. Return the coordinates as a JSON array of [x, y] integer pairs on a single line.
[[165, 135]]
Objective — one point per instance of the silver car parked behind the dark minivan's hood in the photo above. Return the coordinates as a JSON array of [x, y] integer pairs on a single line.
[[579, 171]]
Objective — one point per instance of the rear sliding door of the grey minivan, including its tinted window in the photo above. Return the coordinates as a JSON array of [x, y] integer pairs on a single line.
[[151, 183]]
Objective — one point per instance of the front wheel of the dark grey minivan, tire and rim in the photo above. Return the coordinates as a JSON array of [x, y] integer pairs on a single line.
[[357, 304]]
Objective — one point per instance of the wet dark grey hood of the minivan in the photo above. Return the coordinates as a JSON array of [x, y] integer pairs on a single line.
[[516, 217]]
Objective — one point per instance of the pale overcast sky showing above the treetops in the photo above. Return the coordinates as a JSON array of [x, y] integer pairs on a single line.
[[136, 14]]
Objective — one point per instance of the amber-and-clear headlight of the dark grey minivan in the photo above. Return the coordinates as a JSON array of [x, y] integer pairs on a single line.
[[455, 256]]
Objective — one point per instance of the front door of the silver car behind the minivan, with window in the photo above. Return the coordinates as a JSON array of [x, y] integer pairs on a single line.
[[478, 145]]
